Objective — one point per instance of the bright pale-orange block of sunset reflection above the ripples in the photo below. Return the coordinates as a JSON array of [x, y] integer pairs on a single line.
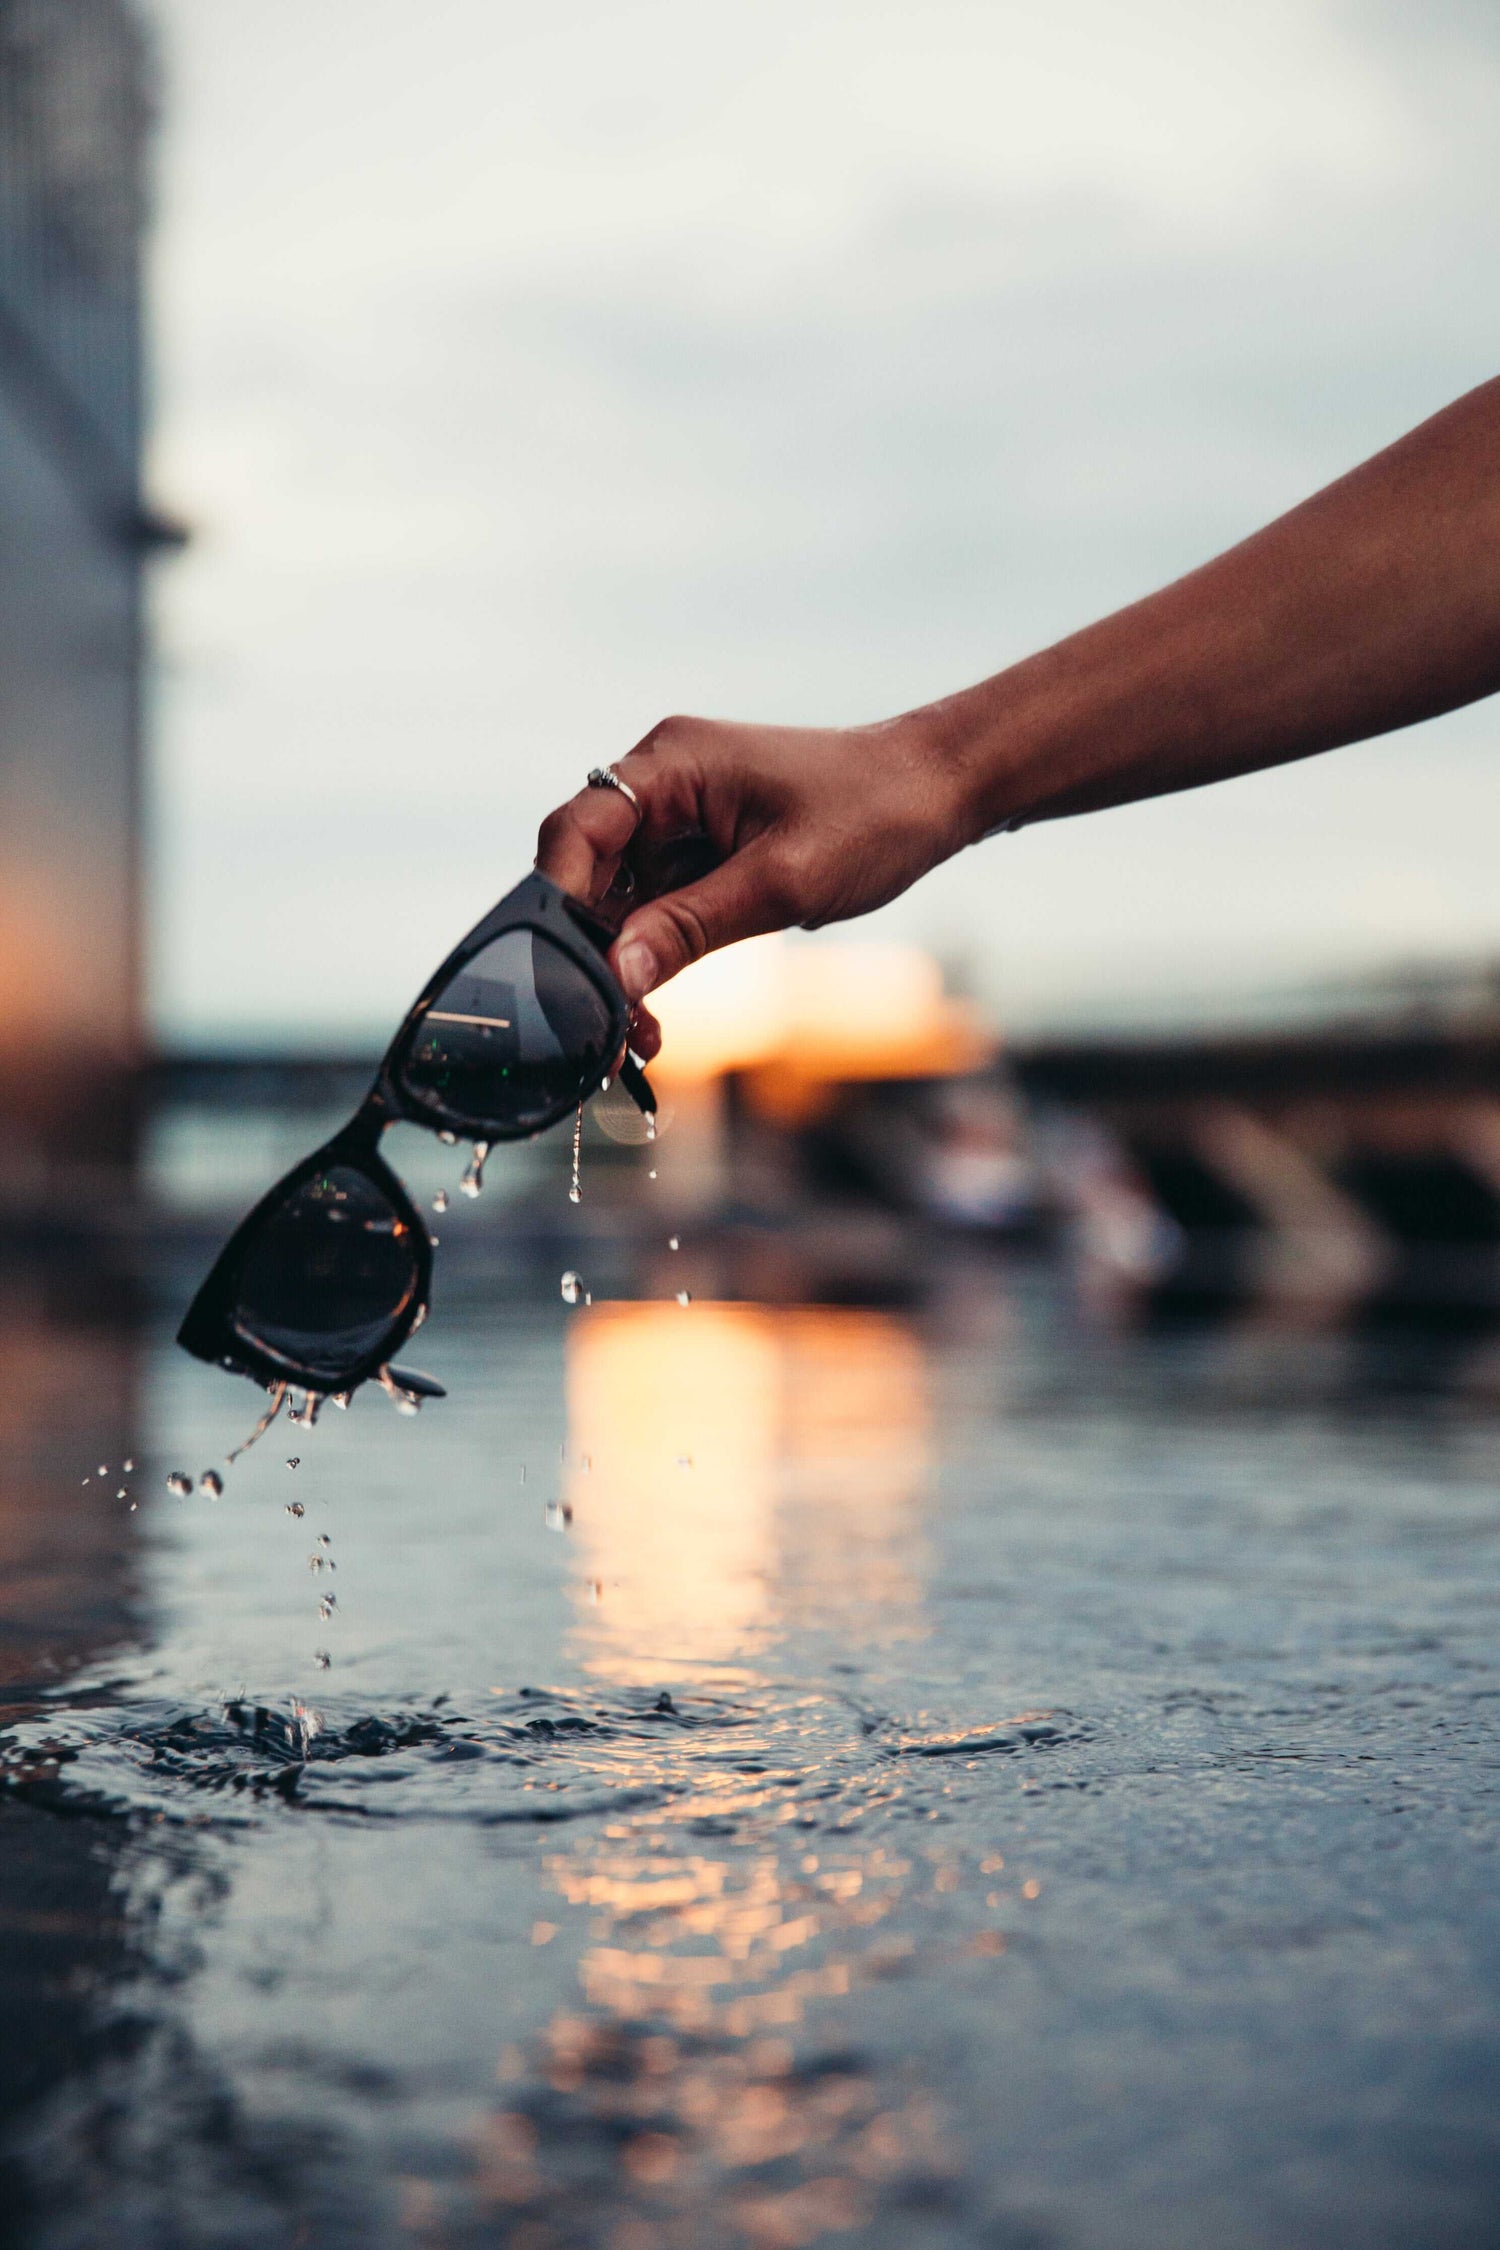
[[746, 1466]]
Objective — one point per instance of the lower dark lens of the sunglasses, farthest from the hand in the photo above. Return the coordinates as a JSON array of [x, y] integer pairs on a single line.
[[327, 1277]]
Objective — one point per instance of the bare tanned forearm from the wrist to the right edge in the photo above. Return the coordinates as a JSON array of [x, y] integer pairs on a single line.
[[1366, 609]]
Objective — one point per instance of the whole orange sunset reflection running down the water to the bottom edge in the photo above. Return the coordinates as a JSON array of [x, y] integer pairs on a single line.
[[732, 1473]]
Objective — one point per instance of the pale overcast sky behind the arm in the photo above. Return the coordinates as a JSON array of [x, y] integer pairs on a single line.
[[534, 372]]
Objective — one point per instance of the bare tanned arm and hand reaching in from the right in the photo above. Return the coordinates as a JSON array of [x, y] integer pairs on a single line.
[[1371, 606]]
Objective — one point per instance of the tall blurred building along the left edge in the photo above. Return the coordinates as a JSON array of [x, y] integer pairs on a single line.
[[75, 120]]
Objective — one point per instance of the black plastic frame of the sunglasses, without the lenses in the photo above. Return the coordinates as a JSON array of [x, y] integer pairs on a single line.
[[539, 906]]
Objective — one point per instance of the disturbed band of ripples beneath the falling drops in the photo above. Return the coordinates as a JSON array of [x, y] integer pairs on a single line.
[[527, 1756]]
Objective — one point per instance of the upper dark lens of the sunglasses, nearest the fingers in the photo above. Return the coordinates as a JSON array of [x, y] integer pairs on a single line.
[[518, 1034]]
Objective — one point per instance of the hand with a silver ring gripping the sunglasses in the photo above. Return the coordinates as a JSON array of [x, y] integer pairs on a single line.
[[811, 825]]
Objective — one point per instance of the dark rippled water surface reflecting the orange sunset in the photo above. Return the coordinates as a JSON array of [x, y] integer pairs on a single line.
[[781, 1774]]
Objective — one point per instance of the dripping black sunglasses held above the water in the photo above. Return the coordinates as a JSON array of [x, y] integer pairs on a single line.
[[332, 1272]]
